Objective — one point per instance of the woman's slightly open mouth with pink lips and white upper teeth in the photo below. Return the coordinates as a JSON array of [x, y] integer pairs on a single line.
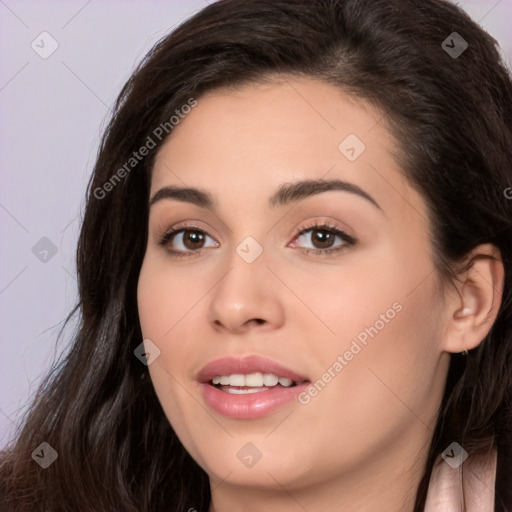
[[249, 387]]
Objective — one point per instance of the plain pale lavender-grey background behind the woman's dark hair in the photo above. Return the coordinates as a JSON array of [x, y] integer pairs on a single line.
[[52, 114]]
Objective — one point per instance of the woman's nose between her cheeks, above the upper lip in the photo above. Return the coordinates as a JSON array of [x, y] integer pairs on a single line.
[[246, 298]]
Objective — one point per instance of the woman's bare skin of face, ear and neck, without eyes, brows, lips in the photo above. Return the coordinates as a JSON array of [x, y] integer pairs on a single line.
[[361, 443]]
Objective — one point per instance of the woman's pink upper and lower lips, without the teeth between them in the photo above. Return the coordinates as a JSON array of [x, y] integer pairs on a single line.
[[253, 405]]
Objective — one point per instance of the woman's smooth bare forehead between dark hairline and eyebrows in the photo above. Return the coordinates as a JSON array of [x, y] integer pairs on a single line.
[[248, 140]]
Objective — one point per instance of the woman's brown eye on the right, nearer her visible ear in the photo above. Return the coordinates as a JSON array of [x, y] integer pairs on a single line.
[[321, 238]]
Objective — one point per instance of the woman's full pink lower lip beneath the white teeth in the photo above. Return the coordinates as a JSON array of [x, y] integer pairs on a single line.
[[251, 405]]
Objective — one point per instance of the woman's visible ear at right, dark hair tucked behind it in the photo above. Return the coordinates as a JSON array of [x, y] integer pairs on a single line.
[[473, 305]]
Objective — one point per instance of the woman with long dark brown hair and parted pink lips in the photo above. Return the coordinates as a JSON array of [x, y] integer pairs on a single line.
[[294, 274]]
